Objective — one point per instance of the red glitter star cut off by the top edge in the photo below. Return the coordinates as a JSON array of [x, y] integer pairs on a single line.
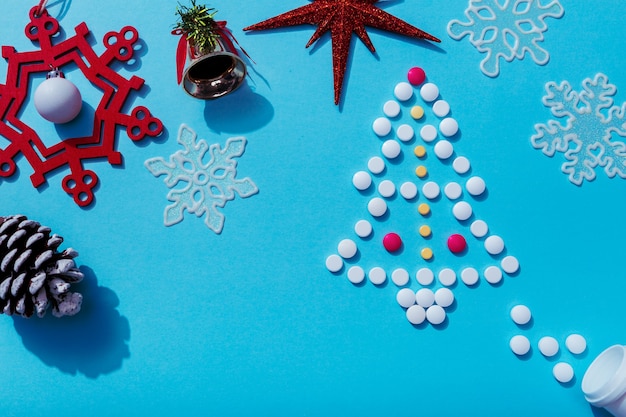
[[342, 17]]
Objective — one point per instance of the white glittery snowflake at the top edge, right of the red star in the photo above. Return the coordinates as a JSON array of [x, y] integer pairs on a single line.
[[506, 29]]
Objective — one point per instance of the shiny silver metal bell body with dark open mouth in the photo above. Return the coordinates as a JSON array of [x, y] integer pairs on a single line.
[[214, 75]]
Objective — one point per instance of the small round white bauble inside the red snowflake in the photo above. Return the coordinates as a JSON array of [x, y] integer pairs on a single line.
[[57, 99]]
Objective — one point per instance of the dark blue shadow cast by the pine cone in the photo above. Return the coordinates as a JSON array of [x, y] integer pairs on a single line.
[[94, 342]]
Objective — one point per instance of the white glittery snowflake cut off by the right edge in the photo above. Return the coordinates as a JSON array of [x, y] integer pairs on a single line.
[[590, 131]]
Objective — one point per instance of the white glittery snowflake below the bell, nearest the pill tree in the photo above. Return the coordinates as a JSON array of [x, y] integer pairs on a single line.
[[201, 187]]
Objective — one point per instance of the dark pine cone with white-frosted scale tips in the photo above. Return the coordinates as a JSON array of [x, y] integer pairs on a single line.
[[33, 274]]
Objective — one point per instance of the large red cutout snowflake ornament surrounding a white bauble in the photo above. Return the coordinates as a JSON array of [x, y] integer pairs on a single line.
[[108, 116]]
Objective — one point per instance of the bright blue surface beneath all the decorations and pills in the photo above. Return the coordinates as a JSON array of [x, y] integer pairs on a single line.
[[181, 321]]
